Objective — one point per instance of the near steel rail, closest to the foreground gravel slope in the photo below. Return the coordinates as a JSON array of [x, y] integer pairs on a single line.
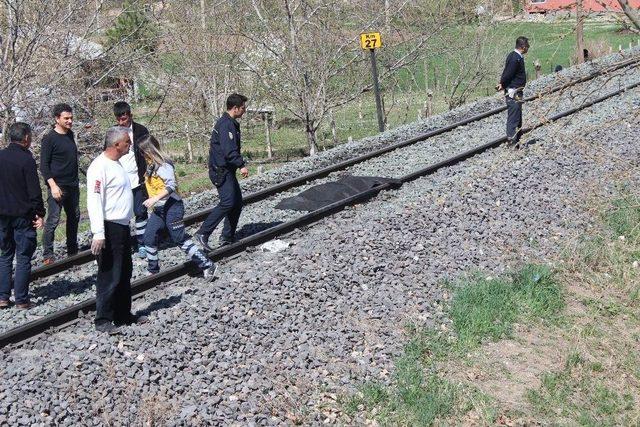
[[33, 328]]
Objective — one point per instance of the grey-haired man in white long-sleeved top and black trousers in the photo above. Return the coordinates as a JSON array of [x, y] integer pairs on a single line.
[[110, 206]]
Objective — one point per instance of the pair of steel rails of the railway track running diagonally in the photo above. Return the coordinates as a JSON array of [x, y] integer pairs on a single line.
[[68, 315]]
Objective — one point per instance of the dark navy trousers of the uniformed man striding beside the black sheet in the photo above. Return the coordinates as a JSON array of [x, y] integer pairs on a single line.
[[228, 208]]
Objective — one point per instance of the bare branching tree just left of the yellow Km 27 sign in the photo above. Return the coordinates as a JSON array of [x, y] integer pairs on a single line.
[[304, 57]]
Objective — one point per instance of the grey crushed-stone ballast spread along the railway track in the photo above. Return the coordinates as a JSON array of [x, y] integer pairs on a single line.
[[280, 335]]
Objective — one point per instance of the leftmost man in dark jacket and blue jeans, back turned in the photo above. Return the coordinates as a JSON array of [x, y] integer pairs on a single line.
[[21, 212]]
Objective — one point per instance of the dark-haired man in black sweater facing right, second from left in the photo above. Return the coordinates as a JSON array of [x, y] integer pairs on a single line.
[[59, 168]]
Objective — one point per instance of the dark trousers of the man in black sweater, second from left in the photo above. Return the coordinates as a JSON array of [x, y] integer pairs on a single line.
[[70, 202]]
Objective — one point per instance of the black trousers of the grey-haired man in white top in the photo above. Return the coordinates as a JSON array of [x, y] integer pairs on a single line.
[[113, 285]]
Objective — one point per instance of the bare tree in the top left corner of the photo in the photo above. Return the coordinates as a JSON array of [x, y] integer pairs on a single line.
[[49, 53]]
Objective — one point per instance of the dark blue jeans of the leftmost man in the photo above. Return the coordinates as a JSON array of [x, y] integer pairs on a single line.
[[17, 238]]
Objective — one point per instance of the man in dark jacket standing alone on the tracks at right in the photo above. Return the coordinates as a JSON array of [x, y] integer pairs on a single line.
[[512, 82]]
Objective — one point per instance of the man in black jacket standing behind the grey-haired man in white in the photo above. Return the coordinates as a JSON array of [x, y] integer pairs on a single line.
[[135, 165]]
